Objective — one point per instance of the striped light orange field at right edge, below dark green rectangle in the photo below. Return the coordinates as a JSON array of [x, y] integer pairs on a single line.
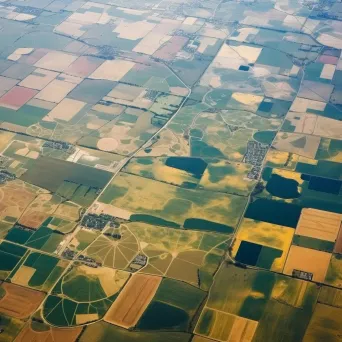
[[319, 224]]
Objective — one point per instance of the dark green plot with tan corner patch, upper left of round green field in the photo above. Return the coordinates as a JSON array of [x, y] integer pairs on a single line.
[[39, 271]]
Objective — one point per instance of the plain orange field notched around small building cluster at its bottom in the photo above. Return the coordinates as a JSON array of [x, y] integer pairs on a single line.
[[308, 260]]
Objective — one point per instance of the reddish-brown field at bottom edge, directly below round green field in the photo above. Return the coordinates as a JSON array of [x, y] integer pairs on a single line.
[[28, 334]]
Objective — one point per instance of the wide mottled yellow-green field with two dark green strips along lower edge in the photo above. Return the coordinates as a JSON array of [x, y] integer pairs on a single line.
[[163, 204]]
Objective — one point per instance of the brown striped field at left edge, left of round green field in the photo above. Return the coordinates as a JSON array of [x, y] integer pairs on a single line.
[[20, 302]]
